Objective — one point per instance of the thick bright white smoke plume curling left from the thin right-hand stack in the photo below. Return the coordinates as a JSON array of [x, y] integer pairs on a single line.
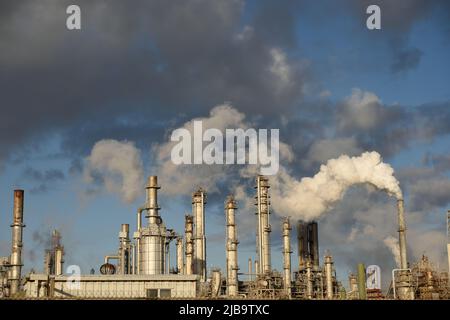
[[309, 198]]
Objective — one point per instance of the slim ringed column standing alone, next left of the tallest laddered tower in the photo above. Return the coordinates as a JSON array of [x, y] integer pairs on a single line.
[[231, 248]]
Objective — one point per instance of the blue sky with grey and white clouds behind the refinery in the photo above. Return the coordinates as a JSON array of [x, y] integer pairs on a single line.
[[135, 72]]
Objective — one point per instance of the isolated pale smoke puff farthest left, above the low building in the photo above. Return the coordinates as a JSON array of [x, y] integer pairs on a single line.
[[118, 166]]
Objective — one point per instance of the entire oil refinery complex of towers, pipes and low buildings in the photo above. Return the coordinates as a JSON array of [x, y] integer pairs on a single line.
[[142, 267]]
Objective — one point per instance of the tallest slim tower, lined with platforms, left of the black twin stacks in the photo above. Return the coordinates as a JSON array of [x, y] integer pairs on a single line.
[[263, 224]]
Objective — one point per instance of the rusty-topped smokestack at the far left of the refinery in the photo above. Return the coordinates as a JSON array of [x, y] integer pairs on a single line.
[[16, 250]]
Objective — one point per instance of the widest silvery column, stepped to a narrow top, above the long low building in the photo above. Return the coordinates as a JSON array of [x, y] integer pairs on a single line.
[[152, 238]]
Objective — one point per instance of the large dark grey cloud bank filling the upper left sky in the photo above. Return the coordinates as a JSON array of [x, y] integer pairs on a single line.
[[151, 59]]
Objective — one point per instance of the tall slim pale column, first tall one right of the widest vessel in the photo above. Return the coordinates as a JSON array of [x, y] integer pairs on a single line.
[[198, 210]]
